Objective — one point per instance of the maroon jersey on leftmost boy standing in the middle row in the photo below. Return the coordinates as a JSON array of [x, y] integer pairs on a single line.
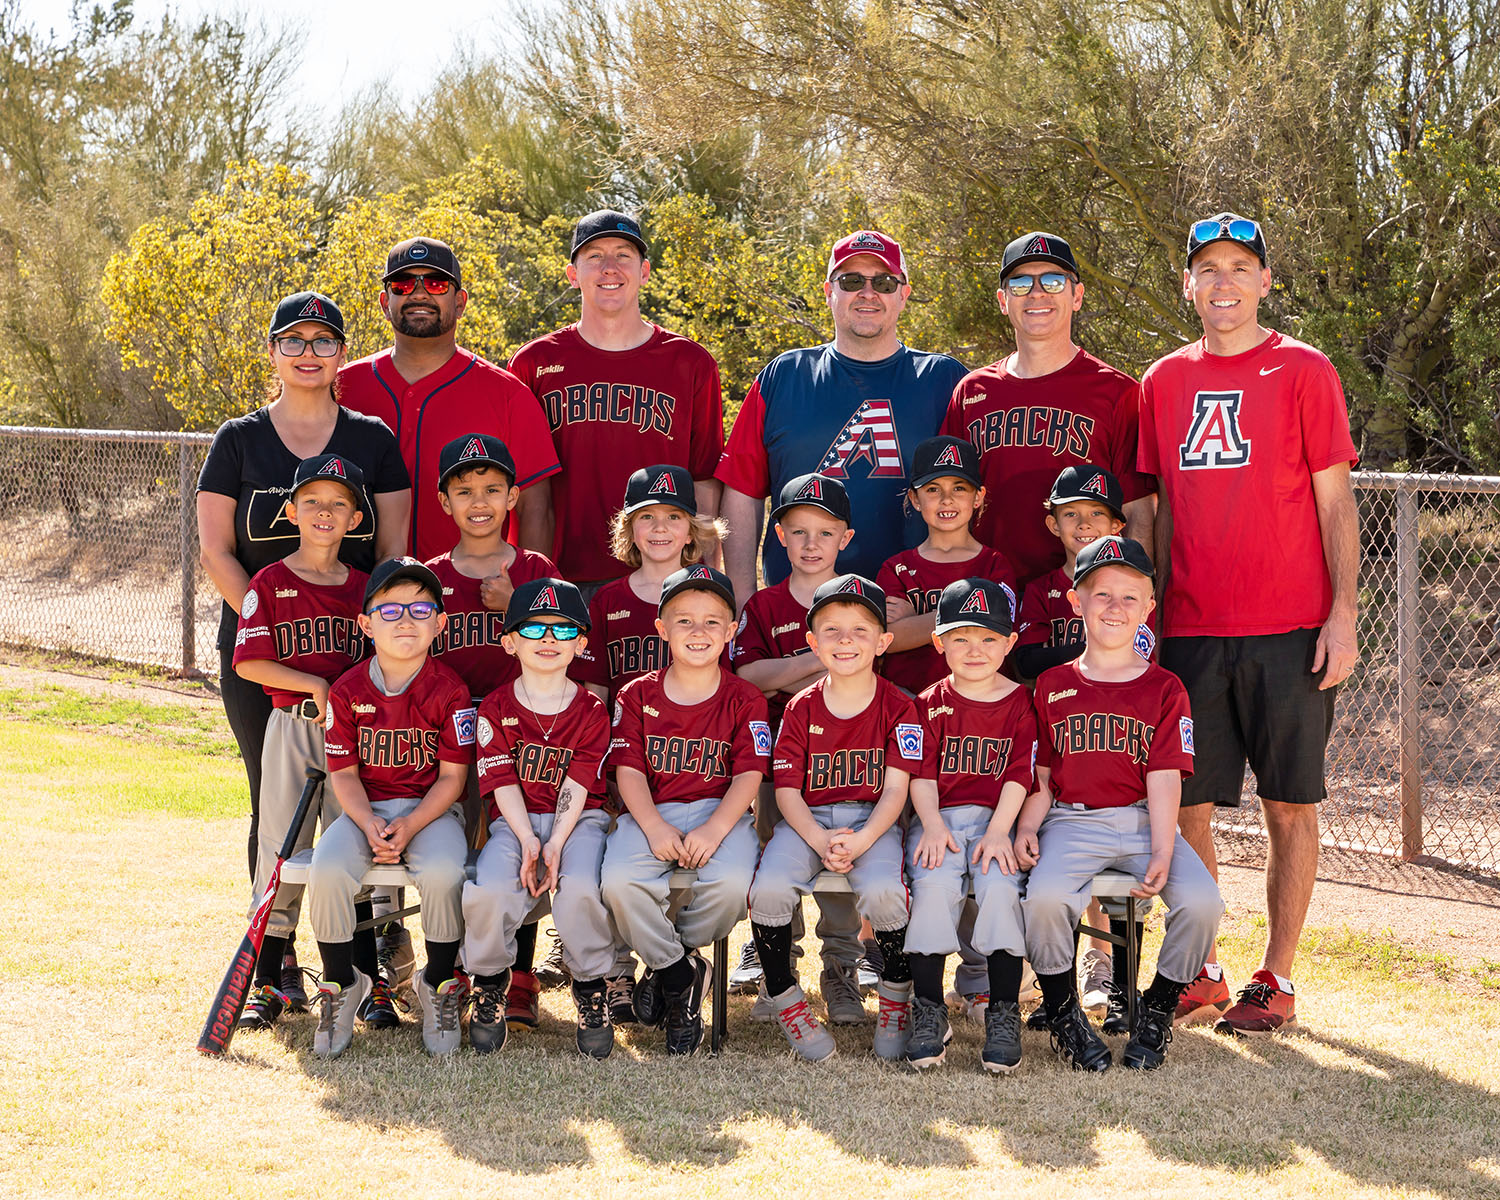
[[310, 628]]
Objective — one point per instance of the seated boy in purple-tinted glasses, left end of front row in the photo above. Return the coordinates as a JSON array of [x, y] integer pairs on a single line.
[[401, 736]]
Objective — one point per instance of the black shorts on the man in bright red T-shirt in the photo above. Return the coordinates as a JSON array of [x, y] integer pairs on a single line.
[[1255, 700]]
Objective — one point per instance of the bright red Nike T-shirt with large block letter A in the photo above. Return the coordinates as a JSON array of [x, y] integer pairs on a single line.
[[1237, 442]]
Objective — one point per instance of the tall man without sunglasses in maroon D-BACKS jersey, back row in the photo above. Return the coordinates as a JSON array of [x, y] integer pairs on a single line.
[[619, 394]]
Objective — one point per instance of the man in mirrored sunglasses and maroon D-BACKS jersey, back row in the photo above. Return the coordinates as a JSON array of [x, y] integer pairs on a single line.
[[1046, 407]]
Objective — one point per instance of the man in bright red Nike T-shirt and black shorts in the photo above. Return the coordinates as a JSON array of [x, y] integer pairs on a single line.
[[1247, 431]]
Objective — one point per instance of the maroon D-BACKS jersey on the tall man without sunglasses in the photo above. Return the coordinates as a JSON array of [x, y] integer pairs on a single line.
[[614, 412]]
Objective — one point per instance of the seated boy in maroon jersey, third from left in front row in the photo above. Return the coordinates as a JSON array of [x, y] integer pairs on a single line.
[[691, 748]]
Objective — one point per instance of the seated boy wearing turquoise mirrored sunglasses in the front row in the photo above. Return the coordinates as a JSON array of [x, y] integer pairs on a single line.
[[542, 745]]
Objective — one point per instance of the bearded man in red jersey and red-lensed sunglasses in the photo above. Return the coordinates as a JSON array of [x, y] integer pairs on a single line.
[[430, 391]]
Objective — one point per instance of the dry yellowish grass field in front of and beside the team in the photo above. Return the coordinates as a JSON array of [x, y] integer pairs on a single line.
[[122, 859]]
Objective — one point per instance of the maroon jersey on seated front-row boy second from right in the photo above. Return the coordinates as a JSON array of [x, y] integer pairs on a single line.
[[973, 749]]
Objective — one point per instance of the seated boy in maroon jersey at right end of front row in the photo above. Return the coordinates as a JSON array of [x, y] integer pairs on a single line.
[[1115, 739]]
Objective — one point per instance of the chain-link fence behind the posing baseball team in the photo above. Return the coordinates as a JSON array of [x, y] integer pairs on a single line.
[[100, 556]]
